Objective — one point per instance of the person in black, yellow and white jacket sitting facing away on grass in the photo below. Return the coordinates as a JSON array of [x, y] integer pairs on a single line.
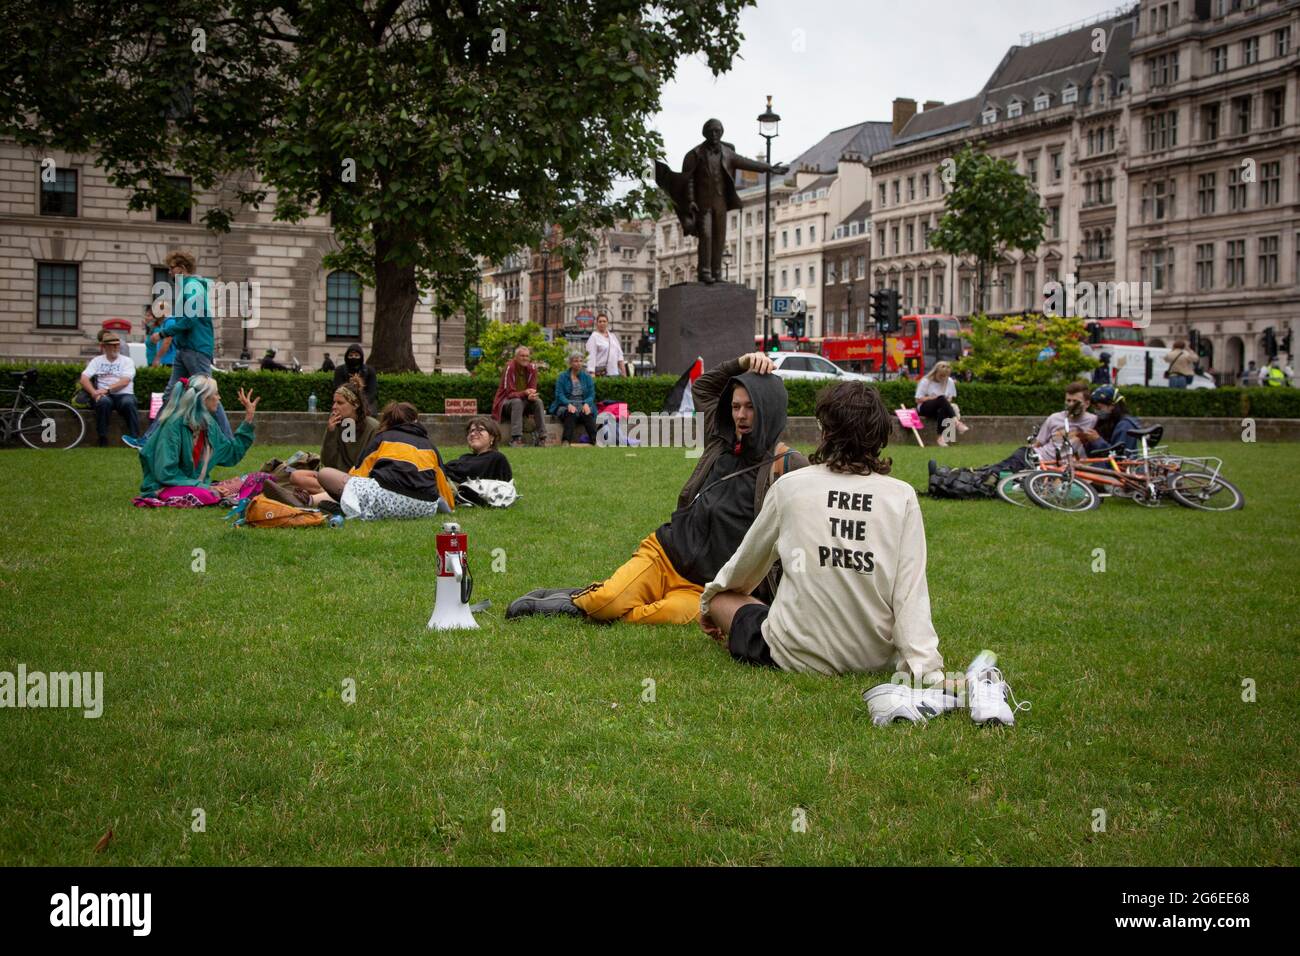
[[400, 474]]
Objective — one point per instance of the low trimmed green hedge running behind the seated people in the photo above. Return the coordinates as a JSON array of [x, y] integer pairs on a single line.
[[289, 392]]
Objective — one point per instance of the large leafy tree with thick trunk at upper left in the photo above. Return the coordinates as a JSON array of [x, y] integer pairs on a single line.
[[430, 132]]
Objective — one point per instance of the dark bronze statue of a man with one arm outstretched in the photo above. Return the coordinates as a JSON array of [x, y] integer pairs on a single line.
[[705, 192]]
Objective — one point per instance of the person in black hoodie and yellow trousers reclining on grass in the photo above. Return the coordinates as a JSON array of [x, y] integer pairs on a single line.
[[744, 416]]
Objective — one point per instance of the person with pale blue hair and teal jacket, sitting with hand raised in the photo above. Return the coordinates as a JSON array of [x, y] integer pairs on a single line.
[[188, 443]]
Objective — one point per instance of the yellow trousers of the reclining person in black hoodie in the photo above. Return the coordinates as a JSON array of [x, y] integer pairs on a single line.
[[645, 591]]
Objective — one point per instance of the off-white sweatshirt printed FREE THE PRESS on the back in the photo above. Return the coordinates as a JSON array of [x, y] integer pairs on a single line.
[[853, 594]]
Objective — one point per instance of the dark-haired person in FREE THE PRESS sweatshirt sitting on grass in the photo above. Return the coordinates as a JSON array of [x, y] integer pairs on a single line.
[[855, 598]]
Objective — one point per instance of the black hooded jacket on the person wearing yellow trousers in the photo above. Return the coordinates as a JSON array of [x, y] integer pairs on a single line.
[[708, 529]]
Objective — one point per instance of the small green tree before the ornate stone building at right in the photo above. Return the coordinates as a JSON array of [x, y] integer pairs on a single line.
[[990, 209]]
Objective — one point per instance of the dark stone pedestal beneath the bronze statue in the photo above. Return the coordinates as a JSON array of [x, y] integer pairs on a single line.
[[710, 322]]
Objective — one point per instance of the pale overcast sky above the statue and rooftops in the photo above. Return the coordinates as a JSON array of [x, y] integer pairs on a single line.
[[859, 55]]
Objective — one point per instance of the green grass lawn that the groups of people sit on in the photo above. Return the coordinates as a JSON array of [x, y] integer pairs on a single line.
[[224, 689]]
